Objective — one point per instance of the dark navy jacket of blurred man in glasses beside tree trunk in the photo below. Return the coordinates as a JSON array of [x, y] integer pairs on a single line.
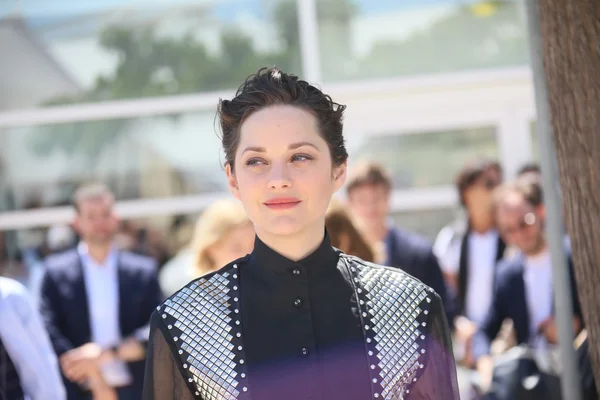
[[510, 302]]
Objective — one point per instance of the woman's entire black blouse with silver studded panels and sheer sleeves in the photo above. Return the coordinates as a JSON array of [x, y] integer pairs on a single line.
[[327, 327]]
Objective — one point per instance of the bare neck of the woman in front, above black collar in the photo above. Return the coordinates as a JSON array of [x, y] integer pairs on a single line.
[[294, 246]]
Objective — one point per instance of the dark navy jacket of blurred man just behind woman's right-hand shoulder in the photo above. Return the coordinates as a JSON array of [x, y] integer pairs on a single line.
[[414, 255]]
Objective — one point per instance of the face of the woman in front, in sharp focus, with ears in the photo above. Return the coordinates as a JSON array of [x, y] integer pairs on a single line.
[[283, 171]]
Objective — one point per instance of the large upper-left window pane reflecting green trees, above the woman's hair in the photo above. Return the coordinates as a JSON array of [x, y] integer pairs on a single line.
[[92, 50]]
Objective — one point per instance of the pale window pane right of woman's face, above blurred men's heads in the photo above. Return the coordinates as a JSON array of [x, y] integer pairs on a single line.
[[427, 159]]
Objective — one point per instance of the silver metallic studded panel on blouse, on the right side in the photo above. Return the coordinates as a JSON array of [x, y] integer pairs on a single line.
[[394, 313]]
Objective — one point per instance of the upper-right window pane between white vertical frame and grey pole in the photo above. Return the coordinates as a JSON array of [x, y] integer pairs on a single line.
[[383, 38]]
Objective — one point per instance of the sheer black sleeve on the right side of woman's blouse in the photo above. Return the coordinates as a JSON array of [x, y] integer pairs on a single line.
[[438, 380]]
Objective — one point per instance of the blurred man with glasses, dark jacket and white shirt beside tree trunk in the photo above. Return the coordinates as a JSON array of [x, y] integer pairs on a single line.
[[523, 290]]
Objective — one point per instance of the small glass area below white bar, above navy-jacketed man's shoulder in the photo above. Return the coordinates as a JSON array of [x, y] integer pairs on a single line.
[[425, 222]]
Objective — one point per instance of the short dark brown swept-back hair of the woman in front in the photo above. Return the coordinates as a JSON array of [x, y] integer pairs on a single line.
[[270, 87]]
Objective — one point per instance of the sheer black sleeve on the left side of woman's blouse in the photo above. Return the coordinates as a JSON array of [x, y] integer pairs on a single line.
[[163, 379]]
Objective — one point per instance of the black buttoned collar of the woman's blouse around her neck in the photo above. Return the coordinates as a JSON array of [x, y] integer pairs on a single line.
[[267, 261]]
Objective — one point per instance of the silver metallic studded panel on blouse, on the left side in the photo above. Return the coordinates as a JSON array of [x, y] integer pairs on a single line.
[[204, 321]]
